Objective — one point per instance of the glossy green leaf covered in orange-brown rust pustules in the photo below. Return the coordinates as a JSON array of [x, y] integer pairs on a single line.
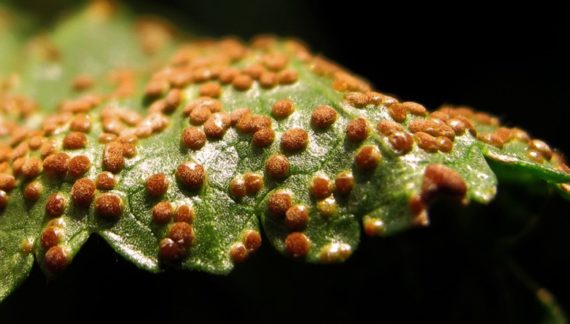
[[405, 158]]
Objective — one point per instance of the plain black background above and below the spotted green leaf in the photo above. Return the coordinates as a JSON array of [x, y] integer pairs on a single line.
[[508, 61]]
